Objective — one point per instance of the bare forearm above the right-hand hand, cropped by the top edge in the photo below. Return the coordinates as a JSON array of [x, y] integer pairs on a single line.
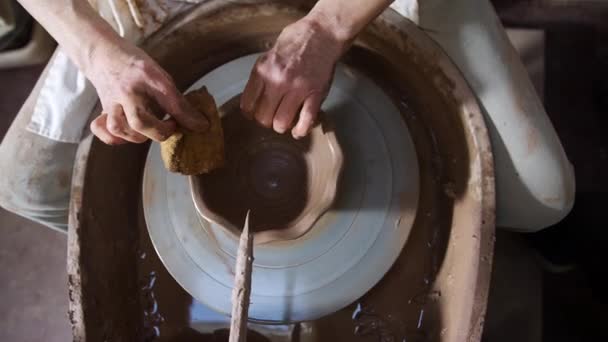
[[345, 19]]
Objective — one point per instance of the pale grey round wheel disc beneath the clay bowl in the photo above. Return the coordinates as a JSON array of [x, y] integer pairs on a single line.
[[350, 247]]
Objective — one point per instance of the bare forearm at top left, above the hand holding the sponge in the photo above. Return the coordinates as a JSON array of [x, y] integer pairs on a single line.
[[76, 27]]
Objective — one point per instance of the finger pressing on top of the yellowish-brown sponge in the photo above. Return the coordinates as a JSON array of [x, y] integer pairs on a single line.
[[175, 104]]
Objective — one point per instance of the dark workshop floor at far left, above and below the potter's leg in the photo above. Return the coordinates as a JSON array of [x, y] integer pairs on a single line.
[[33, 278]]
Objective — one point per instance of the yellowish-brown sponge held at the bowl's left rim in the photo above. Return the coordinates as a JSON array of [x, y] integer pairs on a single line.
[[191, 153]]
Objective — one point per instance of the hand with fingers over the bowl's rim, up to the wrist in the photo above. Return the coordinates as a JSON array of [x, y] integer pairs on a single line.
[[293, 77]]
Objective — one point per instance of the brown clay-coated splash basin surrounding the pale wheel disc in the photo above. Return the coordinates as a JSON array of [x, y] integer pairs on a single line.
[[437, 289]]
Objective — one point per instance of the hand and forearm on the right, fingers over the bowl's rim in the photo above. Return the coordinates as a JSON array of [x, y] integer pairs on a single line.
[[294, 77]]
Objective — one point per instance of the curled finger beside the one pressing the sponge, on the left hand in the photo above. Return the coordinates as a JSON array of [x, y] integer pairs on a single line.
[[141, 121]]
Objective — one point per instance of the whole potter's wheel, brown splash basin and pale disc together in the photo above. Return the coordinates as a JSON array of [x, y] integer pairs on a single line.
[[408, 239]]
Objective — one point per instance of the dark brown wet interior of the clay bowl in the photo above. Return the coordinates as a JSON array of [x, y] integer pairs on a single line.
[[265, 172]]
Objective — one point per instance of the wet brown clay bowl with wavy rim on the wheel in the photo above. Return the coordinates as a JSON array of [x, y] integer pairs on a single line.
[[286, 183]]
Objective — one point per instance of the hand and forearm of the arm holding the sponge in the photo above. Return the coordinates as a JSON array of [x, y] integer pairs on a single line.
[[133, 89]]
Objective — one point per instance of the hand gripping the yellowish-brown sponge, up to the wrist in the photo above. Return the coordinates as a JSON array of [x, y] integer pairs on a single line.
[[135, 92]]
